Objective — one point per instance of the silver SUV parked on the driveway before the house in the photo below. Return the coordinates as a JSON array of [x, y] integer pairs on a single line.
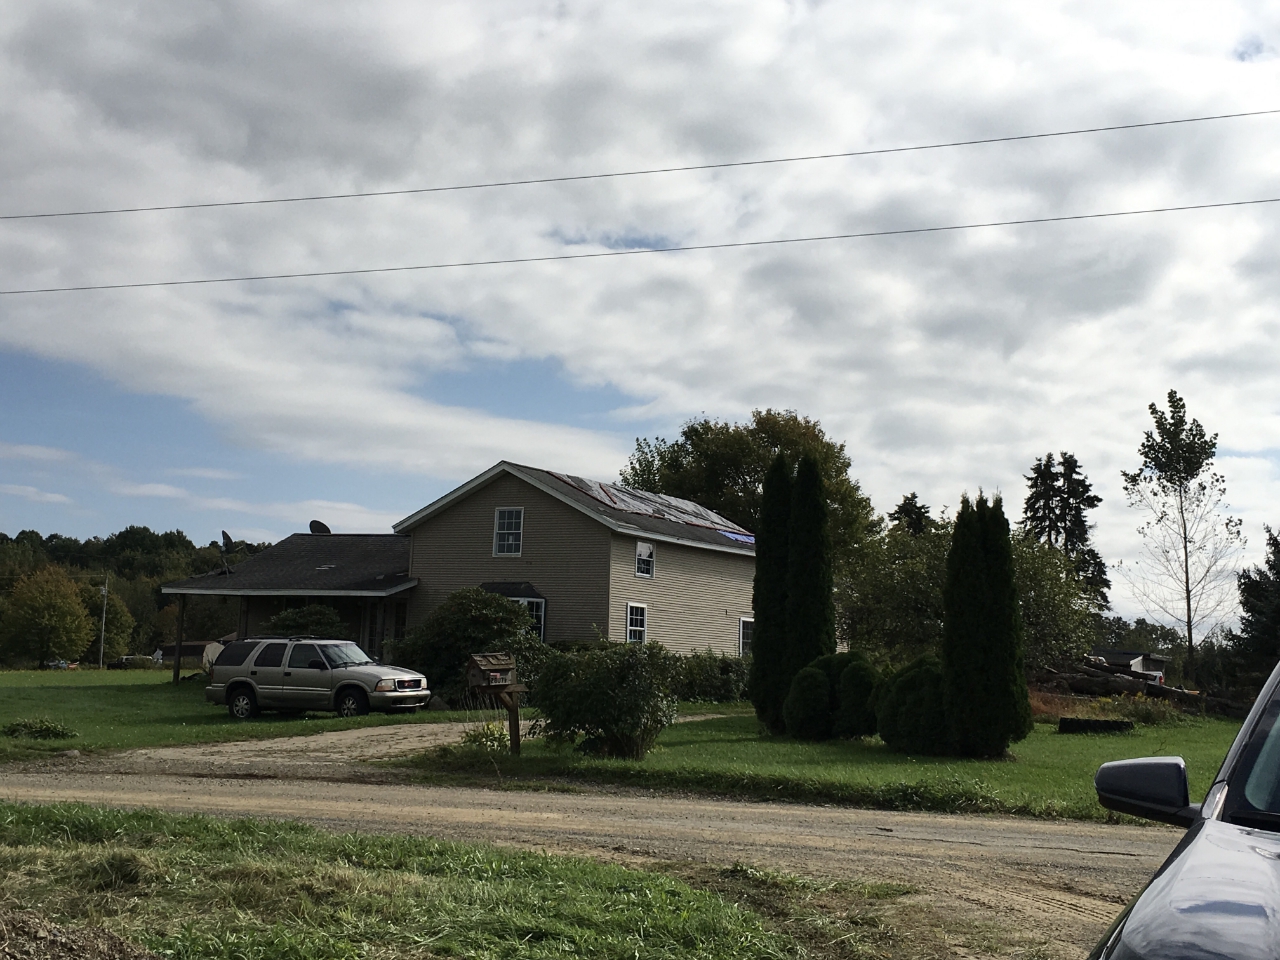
[[309, 674]]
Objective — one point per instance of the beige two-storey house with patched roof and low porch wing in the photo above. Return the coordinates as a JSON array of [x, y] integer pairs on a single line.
[[587, 559]]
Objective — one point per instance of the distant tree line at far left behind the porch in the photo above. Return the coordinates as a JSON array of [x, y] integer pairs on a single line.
[[52, 593]]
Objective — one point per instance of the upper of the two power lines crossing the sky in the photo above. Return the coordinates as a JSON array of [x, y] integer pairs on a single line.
[[632, 173]]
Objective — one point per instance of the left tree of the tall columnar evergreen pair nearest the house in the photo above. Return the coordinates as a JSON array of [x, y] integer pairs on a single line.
[[770, 682]]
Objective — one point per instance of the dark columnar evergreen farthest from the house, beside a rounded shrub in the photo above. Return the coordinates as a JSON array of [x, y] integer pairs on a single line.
[[985, 688]]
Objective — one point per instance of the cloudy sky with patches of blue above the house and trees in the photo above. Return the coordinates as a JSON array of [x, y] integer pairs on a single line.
[[945, 362]]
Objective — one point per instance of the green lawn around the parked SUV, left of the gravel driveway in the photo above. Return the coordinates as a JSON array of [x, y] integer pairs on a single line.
[[121, 710]]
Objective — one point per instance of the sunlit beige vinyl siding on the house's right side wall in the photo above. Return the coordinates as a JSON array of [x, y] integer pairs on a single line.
[[694, 600]]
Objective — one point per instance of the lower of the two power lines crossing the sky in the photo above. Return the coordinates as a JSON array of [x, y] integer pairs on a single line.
[[598, 255]]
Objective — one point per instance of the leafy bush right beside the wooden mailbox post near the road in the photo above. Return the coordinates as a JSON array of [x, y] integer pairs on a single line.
[[616, 700]]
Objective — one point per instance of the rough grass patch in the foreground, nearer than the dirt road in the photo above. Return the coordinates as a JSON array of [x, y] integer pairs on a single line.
[[196, 888]]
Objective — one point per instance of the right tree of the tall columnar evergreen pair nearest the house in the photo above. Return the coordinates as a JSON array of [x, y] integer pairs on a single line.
[[811, 601]]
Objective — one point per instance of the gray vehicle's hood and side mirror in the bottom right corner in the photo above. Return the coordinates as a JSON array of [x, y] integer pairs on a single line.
[[1218, 897]]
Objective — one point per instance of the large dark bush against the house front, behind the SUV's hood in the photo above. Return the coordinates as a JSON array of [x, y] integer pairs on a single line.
[[470, 621]]
